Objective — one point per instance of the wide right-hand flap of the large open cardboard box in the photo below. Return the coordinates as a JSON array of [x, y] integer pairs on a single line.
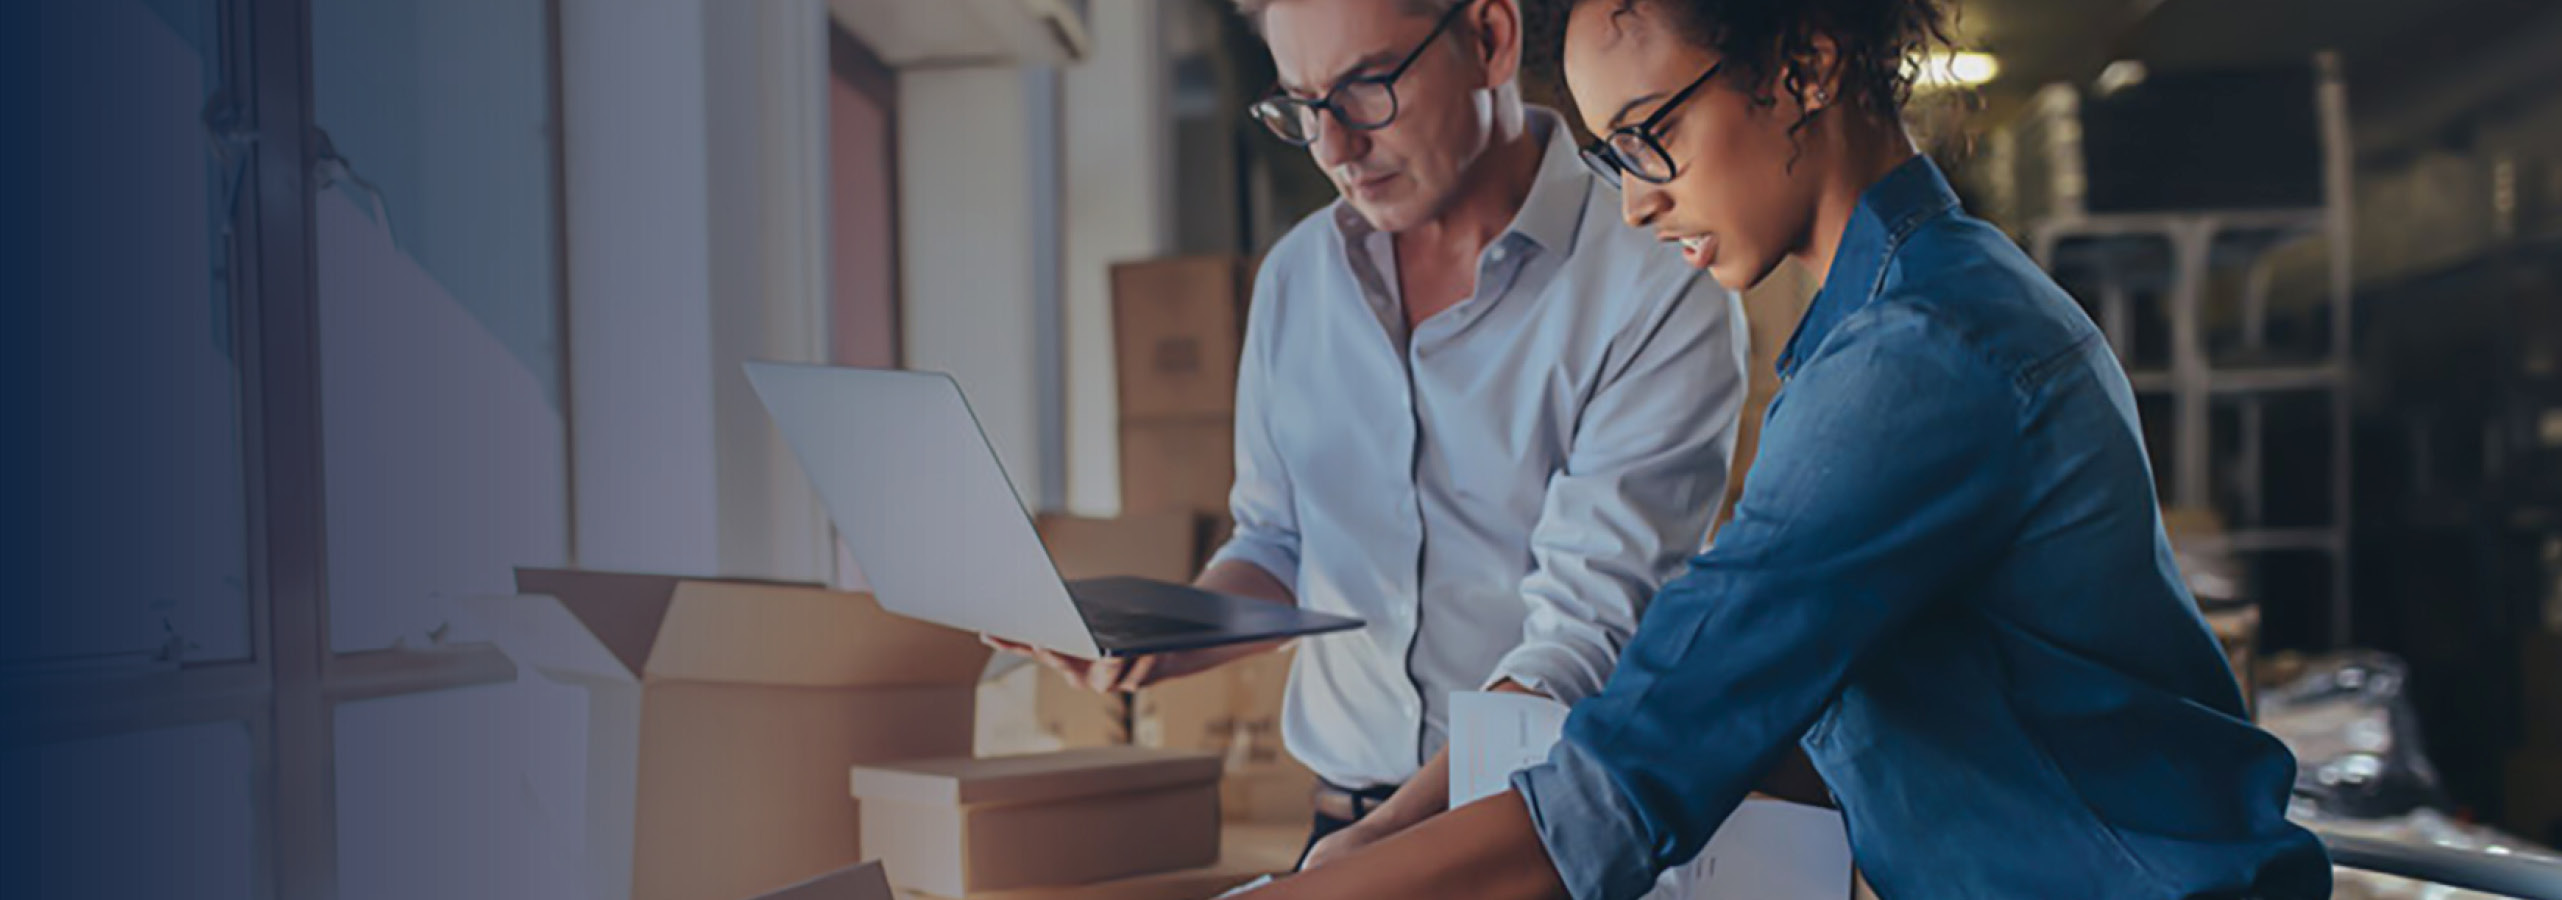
[[783, 635]]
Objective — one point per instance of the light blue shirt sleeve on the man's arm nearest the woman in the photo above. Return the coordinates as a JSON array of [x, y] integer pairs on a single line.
[[1636, 494]]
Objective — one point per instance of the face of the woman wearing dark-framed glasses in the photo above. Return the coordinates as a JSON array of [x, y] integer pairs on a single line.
[[1736, 206]]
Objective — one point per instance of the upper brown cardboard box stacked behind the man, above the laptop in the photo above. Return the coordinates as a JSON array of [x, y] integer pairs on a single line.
[[1177, 329]]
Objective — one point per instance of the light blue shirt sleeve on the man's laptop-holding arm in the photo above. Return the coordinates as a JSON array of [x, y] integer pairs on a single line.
[[1262, 501]]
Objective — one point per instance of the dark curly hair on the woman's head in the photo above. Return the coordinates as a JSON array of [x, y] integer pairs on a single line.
[[1879, 45]]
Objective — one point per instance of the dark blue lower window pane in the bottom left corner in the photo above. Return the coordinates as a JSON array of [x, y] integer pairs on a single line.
[[152, 814]]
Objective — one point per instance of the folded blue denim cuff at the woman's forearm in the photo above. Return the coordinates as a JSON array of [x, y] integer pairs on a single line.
[[1587, 827]]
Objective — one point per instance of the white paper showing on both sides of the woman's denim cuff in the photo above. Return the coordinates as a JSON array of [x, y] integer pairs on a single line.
[[1769, 850]]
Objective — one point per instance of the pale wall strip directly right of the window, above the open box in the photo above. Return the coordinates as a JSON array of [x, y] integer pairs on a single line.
[[639, 286]]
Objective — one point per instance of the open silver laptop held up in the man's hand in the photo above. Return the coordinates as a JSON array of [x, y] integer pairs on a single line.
[[936, 527]]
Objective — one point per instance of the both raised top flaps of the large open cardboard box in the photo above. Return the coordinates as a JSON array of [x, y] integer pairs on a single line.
[[688, 629]]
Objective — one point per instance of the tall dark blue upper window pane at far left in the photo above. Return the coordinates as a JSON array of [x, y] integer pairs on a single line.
[[140, 409]]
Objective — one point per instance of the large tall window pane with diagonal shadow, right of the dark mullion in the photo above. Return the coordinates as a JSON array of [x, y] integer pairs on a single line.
[[439, 309]]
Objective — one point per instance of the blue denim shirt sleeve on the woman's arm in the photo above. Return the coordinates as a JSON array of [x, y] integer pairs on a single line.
[[1879, 486]]
